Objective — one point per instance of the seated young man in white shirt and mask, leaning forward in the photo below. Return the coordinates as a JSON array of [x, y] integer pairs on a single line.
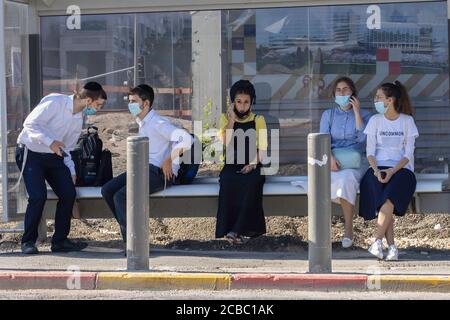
[[167, 143]]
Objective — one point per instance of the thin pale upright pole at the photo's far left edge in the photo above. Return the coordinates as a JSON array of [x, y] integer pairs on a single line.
[[3, 109]]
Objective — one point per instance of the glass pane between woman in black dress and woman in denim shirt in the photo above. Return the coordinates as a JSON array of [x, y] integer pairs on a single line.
[[271, 48]]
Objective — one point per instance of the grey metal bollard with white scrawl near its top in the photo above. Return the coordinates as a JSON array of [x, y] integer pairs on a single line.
[[319, 203]]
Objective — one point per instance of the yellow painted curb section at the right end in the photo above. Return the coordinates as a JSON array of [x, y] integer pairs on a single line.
[[408, 283]]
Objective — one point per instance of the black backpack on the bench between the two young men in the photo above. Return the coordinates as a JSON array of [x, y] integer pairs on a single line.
[[93, 165]]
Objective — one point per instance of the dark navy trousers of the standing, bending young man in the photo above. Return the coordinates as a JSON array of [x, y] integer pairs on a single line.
[[41, 167]]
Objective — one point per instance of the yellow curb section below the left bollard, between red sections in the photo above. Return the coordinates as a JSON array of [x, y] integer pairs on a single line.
[[162, 281]]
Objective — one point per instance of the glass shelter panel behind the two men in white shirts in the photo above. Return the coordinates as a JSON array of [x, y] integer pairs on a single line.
[[105, 44]]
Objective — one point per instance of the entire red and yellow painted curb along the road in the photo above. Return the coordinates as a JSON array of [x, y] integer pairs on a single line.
[[18, 280]]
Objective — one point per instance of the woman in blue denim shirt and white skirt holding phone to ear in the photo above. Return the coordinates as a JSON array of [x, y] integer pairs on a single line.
[[345, 122]]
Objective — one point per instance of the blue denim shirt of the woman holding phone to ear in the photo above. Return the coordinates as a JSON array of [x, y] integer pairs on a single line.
[[343, 128]]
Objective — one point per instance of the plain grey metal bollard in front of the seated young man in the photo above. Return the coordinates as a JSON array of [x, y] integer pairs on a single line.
[[137, 204]]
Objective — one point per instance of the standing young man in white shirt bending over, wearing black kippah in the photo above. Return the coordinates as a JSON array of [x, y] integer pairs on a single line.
[[49, 133]]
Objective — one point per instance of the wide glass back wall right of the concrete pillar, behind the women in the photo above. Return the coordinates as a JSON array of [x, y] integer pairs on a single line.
[[293, 55]]
